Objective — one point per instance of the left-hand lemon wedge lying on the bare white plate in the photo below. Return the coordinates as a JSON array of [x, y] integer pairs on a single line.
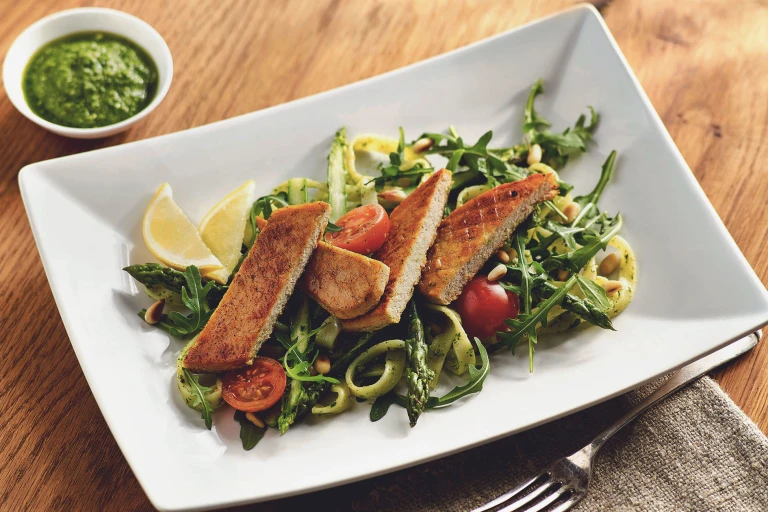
[[172, 237]]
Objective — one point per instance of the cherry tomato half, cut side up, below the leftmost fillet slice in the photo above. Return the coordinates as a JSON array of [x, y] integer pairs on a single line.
[[255, 387]]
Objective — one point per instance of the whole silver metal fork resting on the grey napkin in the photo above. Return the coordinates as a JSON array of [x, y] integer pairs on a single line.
[[565, 482]]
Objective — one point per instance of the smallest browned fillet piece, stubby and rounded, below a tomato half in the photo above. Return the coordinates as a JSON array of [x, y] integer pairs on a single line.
[[344, 283]]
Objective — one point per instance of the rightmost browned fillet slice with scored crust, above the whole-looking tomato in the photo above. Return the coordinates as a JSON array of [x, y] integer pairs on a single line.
[[475, 230]]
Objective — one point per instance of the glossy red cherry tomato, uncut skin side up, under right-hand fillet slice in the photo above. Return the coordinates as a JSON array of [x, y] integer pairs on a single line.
[[483, 307]]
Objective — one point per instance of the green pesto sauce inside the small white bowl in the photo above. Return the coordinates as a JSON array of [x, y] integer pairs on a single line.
[[89, 79]]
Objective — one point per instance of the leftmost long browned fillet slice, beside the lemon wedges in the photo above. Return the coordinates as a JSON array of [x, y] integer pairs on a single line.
[[259, 290]]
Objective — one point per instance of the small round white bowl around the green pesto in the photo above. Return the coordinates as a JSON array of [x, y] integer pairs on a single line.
[[86, 19]]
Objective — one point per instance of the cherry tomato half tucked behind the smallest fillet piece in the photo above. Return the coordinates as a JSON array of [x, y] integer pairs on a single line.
[[363, 230]]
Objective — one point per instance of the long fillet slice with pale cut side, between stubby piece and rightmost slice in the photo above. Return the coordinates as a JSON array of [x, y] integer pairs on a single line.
[[413, 228]]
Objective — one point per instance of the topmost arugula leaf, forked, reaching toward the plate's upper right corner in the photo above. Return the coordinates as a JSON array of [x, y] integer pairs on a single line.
[[556, 147]]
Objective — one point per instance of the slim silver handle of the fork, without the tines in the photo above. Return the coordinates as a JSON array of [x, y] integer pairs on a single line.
[[679, 379]]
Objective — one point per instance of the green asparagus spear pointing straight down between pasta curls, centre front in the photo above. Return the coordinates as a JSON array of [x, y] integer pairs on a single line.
[[418, 374]]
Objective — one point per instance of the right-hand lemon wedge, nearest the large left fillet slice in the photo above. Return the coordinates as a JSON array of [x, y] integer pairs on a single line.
[[222, 229]]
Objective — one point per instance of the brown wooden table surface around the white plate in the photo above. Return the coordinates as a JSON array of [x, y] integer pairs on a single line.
[[702, 62]]
